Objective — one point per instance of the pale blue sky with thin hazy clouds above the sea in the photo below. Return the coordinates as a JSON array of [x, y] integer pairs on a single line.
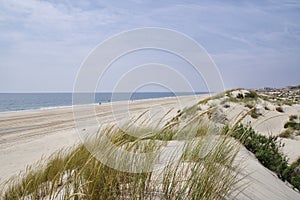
[[254, 44]]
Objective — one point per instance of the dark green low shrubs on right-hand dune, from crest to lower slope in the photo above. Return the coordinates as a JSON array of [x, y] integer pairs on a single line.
[[266, 149]]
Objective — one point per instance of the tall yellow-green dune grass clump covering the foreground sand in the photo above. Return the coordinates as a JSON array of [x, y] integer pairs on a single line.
[[204, 170]]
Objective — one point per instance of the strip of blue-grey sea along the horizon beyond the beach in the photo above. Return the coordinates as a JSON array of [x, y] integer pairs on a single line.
[[31, 101]]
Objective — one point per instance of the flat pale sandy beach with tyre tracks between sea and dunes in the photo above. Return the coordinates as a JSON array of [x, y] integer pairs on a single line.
[[27, 136]]
